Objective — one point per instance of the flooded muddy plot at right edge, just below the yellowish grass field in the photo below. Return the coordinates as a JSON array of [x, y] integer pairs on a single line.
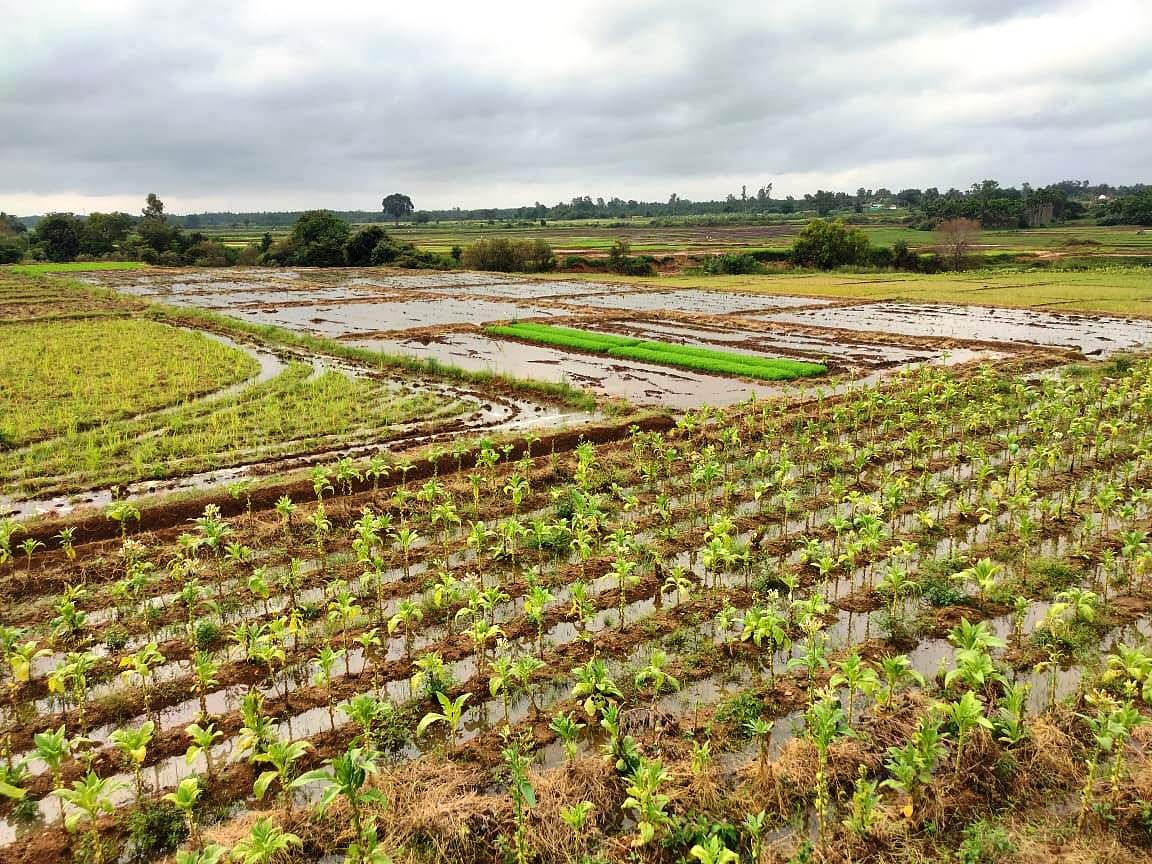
[[1093, 336]]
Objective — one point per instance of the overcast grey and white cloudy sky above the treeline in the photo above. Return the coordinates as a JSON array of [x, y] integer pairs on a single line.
[[251, 105]]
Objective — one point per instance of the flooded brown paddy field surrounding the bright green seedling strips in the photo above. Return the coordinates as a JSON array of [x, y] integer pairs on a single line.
[[439, 316]]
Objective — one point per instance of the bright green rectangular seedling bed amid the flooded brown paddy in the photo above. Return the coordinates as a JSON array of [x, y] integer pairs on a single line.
[[703, 360]]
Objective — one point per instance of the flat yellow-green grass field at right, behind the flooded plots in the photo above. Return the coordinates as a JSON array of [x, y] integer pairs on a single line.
[[1115, 291]]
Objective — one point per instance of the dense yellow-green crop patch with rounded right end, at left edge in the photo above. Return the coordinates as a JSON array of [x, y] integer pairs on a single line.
[[65, 376]]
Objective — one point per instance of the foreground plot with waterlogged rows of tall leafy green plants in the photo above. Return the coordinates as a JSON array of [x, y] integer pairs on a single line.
[[858, 628]]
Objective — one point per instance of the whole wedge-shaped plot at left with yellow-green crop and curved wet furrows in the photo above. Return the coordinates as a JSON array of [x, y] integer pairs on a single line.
[[115, 397]]
